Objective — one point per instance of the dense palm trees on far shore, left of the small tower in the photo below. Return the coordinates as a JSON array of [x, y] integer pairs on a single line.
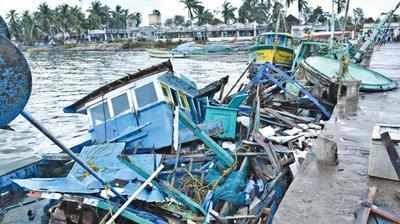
[[44, 23]]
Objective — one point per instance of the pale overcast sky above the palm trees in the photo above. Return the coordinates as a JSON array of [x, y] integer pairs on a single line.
[[169, 8]]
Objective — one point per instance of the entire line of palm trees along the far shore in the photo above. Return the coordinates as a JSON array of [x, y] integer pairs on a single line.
[[45, 23]]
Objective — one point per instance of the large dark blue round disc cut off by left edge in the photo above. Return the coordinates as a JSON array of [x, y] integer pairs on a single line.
[[15, 81]]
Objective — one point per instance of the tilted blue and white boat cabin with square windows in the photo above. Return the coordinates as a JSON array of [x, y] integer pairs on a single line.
[[138, 109]]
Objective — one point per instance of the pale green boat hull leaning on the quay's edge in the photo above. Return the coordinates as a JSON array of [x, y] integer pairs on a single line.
[[327, 68]]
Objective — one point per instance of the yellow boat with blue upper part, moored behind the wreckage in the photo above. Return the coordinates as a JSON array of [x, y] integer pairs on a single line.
[[275, 48]]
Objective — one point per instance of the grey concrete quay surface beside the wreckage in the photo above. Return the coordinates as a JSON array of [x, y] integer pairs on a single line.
[[322, 194]]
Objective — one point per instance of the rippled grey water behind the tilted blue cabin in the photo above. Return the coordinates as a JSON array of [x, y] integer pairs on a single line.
[[60, 78]]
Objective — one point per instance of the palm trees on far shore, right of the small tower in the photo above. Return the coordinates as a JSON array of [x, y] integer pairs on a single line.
[[260, 11]]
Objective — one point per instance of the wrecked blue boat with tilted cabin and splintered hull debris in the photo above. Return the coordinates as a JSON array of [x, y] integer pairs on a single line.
[[157, 119]]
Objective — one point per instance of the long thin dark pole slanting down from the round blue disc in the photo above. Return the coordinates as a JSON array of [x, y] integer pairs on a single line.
[[52, 138]]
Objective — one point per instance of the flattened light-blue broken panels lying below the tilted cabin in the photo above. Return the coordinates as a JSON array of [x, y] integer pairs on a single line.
[[104, 160]]
